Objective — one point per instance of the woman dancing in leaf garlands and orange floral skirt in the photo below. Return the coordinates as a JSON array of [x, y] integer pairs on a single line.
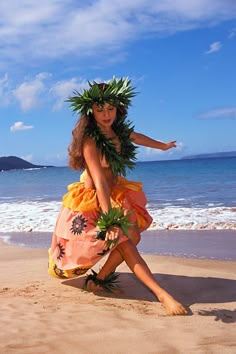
[[105, 213]]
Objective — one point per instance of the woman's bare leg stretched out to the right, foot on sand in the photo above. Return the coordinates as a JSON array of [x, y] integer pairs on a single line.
[[138, 266]]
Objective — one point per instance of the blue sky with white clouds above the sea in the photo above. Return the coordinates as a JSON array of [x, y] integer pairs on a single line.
[[180, 56]]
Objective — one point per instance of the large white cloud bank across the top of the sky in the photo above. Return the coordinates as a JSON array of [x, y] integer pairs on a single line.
[[55, 28]]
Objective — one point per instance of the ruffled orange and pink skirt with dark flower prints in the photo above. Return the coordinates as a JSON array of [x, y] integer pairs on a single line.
[[75, 249]]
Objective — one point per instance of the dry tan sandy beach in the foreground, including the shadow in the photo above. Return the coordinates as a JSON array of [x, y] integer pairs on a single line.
[[40, 314]]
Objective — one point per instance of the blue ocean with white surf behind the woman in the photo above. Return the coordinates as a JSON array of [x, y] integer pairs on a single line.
[[191, 194]]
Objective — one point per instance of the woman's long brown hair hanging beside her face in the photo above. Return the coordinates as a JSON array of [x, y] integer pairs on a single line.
[[75, 149]]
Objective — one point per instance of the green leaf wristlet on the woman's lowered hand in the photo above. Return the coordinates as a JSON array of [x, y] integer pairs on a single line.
[[114, 217]]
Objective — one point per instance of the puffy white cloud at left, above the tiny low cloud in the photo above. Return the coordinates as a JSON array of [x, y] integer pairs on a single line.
[[29, 93]]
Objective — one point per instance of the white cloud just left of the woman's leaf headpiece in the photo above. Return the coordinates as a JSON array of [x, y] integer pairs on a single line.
[[61, 90]]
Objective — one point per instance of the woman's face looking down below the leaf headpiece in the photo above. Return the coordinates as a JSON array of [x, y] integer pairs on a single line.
[[104, 115]]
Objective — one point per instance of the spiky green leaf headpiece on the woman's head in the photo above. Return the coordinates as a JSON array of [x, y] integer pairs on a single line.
[[118, 92]]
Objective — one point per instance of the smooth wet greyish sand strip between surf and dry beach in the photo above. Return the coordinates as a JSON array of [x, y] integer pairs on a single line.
[[194, 244]]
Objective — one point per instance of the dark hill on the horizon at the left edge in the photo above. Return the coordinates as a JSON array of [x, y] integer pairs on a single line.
[[15, 163]]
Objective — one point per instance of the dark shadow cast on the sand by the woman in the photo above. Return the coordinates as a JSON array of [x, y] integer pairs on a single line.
[[188, 290]]
